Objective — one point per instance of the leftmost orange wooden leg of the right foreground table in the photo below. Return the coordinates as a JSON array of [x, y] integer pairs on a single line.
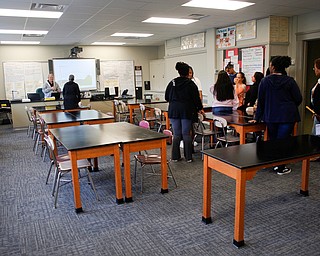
[[206, 211]]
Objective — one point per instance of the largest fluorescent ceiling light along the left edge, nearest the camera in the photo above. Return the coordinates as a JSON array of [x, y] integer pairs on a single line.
[[30, 14]]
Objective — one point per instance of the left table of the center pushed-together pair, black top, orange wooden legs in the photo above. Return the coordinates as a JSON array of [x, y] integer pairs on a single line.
[[90, 141]]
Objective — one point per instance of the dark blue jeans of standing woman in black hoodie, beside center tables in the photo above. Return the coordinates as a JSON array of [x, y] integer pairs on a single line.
[[181, 130]]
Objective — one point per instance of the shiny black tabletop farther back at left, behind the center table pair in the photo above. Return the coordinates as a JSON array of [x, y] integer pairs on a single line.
[[74, 116]]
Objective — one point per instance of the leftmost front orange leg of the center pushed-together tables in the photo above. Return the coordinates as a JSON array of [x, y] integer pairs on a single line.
[[75, 182]]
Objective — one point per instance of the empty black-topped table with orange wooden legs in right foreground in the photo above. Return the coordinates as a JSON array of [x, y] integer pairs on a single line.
[[242, 163]]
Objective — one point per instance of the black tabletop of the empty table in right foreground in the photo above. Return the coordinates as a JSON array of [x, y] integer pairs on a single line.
[[267, 152]]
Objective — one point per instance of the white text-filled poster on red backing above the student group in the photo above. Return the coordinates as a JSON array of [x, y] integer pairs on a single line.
[[252, 61]]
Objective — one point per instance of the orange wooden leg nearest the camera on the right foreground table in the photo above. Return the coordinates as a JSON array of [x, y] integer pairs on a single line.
[[238, 240]]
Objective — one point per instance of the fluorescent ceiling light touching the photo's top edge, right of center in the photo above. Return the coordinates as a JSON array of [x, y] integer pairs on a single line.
[[221, 4]]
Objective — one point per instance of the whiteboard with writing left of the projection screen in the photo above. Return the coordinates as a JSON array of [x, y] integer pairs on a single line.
[[21, 78]]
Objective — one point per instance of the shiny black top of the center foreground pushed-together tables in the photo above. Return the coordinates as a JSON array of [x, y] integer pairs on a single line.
[[88, 136]]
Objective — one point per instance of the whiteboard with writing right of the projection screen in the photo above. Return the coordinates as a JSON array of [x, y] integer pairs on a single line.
[[117, 73]]
